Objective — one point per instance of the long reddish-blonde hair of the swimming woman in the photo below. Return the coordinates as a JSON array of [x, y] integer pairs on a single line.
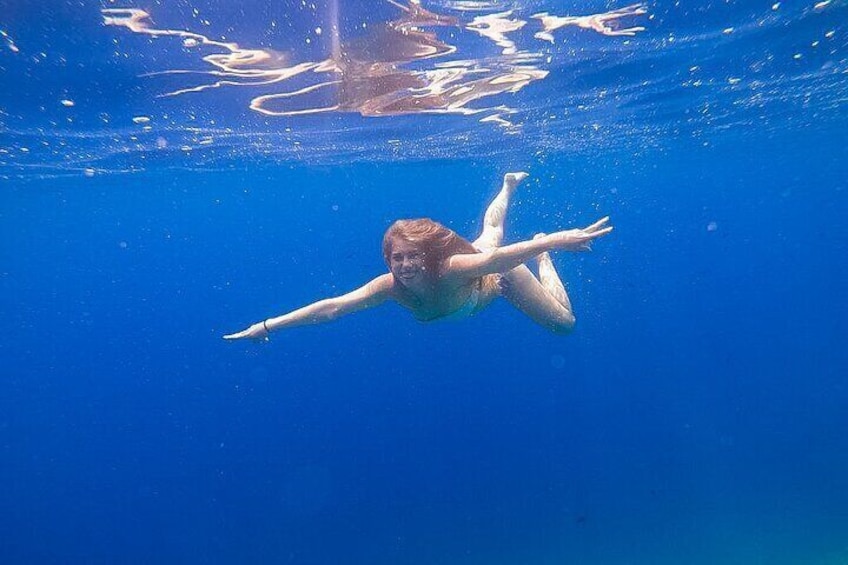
[[437, 242]]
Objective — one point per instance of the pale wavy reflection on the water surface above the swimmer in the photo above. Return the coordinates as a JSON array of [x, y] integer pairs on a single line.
[[403, 66]]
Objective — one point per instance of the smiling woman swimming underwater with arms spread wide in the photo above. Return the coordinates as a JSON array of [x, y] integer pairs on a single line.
[[438, 275]]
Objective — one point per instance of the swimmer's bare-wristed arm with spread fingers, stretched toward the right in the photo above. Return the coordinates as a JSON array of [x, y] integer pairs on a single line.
[[506, 258]]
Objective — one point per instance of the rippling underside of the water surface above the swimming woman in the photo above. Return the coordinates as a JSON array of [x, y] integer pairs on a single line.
[[204, 86]]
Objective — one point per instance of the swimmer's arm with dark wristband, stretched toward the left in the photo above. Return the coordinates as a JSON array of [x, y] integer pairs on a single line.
[[372, 294]]
